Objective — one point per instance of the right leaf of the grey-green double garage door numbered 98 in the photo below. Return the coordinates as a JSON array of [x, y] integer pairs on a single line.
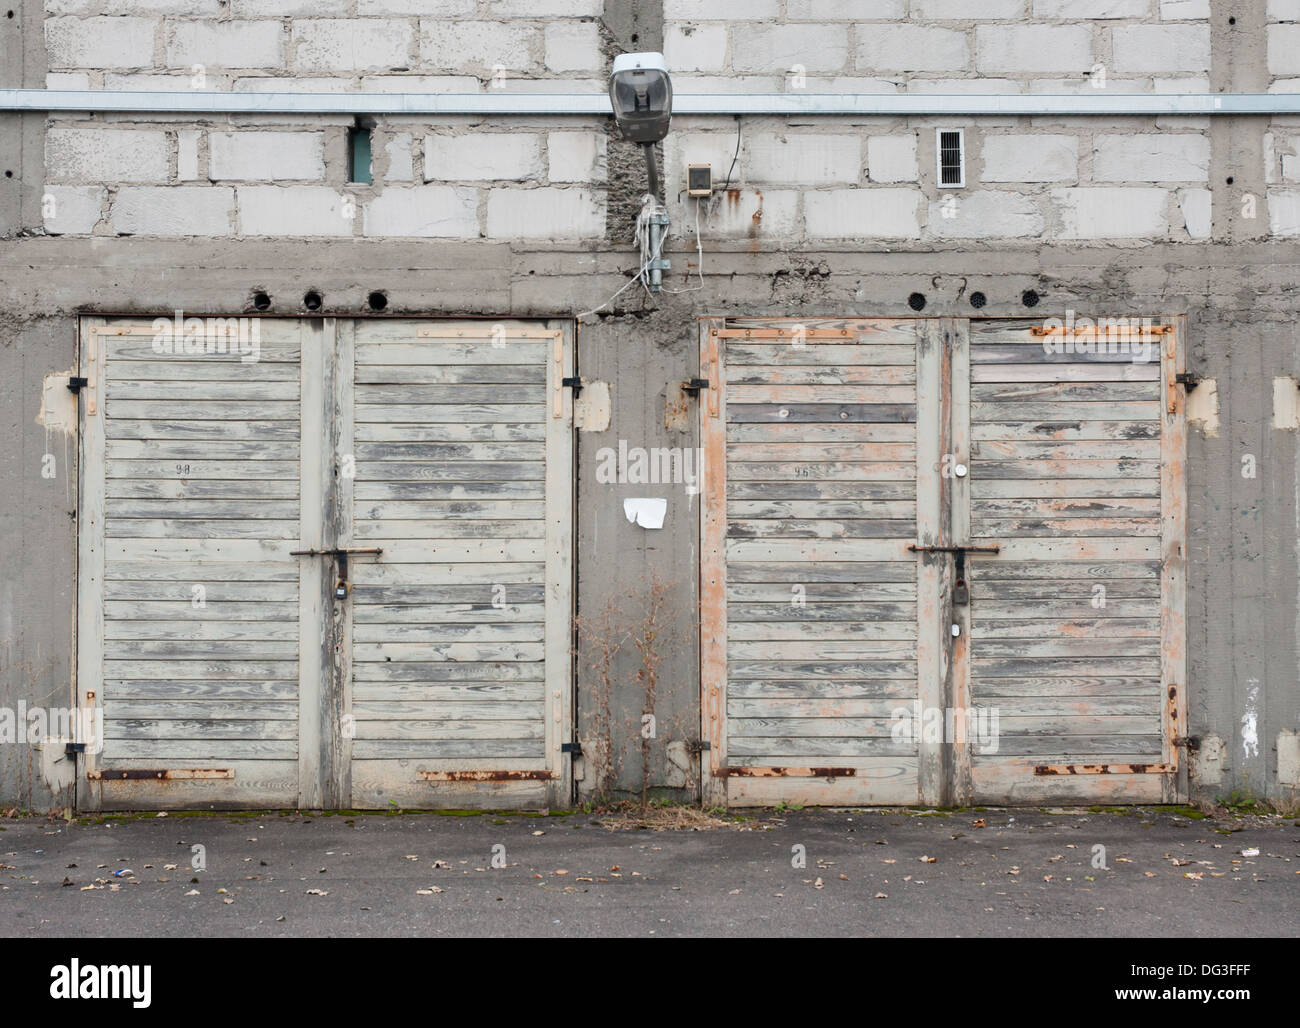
[[462, 628]]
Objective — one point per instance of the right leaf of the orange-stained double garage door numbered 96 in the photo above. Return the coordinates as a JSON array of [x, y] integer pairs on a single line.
[[1077, 624]]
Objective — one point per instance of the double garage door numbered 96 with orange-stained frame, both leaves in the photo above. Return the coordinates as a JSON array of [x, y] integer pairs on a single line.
[[903, 541]]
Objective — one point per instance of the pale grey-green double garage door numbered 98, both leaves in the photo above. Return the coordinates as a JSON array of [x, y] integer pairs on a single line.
[[239, 665]]
